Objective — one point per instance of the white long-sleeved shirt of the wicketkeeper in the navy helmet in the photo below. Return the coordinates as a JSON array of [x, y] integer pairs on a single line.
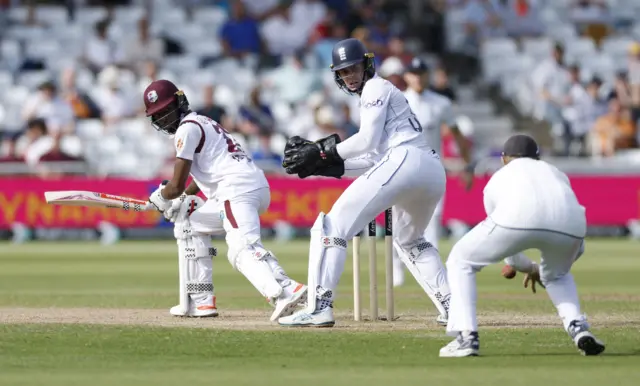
[[386, 121]]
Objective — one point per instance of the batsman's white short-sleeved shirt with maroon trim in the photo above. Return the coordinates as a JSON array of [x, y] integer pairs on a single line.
[[221, 169]]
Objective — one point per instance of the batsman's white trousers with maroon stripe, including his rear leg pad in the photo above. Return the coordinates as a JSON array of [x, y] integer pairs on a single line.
[[239, 220]]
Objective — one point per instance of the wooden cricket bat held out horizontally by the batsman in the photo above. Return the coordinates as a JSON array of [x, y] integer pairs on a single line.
[[85, 198]]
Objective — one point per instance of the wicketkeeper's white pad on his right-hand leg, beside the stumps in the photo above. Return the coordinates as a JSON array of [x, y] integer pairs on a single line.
[[424, 263]]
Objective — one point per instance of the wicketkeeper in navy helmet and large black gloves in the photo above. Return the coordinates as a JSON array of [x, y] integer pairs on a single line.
[[397, 169]]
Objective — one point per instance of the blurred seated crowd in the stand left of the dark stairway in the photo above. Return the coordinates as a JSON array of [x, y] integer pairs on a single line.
[[260, 68]]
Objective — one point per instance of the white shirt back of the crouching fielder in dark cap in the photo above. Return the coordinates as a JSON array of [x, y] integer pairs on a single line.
[[532, 194]]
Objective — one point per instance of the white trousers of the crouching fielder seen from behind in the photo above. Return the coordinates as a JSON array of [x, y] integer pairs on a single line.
[[488, 243]]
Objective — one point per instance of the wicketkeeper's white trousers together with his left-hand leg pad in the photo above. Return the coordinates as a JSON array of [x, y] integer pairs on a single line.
[[407, 179]]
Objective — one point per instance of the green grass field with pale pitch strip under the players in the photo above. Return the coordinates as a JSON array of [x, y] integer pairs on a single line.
[[81, 313]]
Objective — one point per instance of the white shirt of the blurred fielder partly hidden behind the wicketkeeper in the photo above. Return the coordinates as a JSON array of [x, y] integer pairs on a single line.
[[432, 110]]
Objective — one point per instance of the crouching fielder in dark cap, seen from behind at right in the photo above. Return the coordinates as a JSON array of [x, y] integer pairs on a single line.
[[530, 205]]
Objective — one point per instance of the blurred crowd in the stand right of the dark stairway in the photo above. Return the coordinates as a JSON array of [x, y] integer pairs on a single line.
[[572, 64]]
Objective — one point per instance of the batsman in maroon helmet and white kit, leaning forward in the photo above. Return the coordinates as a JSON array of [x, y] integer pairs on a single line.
[[237, 193]]
